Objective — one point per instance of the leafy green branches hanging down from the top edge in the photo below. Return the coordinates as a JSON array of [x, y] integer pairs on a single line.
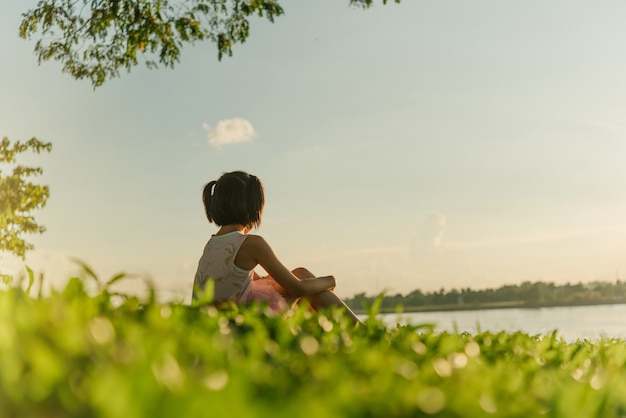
[[95, 39]]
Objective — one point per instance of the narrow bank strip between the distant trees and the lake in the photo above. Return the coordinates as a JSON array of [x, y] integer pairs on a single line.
[[487, 306]]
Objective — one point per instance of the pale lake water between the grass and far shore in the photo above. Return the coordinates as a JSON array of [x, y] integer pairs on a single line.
[[584, 322]]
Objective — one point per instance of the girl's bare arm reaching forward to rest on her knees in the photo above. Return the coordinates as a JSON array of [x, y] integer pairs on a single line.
[[255, 249]]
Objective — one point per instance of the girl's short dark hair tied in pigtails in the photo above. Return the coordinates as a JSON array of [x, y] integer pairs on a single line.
[[235, 198]]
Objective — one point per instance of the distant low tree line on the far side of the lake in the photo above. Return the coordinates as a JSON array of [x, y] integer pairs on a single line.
[[526, 294]]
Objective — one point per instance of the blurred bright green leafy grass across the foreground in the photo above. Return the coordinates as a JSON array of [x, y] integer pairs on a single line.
[[79, 352]]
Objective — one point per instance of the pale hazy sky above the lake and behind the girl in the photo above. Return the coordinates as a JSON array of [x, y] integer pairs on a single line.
[[421, 145]]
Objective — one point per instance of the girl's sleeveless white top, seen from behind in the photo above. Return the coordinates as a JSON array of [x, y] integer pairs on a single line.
[[218, 264]]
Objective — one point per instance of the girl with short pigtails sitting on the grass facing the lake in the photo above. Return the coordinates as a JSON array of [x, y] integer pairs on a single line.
[[235, 203]]
